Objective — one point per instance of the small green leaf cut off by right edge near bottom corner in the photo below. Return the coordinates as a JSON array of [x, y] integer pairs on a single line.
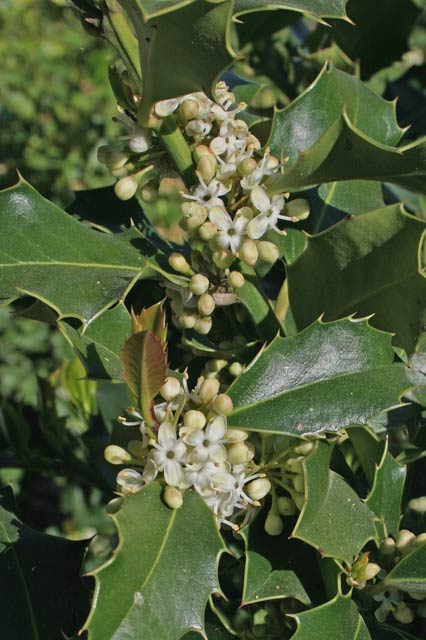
[[409, 575]]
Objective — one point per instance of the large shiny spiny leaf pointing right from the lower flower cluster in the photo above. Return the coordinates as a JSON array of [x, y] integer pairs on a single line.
[[328, 377]]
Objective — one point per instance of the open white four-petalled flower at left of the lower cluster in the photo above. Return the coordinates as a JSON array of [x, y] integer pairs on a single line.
[[170, 454]]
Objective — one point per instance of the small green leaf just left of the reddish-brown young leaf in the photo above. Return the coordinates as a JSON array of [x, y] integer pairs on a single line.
[[99, 346]]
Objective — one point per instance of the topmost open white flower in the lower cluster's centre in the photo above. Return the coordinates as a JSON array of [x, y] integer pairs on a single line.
[[208, 442]]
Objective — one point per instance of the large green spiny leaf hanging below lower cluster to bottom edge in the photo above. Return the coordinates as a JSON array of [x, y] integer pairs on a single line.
[[158, 581]]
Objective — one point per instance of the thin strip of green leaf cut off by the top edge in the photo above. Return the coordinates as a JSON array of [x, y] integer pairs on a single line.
[[317, 8]]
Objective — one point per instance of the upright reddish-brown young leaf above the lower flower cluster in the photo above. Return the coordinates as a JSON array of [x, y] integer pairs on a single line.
[[144, 360]]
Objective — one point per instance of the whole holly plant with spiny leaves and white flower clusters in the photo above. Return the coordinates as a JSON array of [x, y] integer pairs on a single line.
[[248, 301]]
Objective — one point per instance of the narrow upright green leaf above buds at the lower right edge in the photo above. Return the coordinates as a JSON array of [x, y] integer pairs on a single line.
[[386, 494]]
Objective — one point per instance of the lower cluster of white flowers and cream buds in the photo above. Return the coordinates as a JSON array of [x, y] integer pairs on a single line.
[[191, 446]]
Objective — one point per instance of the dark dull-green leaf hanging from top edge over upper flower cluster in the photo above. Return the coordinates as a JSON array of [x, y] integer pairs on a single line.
[[192, 68]]
